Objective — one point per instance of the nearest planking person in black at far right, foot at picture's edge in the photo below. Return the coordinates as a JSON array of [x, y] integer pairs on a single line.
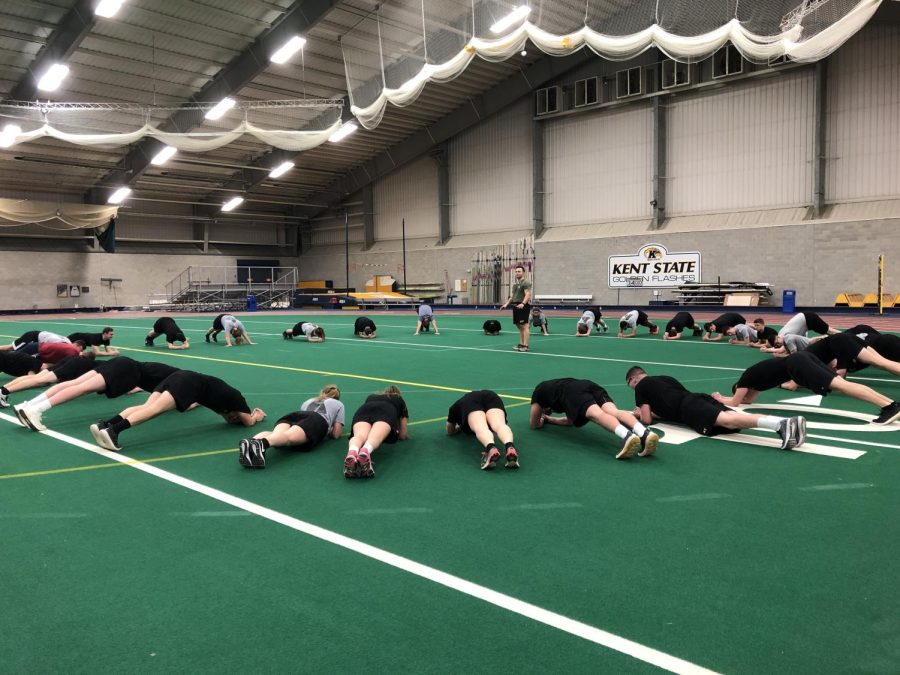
[[807, 371]]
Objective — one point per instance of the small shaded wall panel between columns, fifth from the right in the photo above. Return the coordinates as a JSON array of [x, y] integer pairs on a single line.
[[410, 193]]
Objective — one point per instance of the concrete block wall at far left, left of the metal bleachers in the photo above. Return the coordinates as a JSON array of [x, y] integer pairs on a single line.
[[28, 279]]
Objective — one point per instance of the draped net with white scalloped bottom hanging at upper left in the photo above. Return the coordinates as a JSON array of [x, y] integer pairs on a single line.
[[295, 125]]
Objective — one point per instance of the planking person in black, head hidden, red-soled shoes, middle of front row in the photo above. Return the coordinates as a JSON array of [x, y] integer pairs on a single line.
[[482, 414]]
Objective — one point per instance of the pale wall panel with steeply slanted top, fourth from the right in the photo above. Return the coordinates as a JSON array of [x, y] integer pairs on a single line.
[[491, 174]]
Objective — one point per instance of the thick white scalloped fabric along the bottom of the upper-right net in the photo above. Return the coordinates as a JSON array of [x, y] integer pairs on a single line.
[[758, 48]]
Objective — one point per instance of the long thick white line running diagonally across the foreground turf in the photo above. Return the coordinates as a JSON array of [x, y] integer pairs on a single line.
[[552, 619]]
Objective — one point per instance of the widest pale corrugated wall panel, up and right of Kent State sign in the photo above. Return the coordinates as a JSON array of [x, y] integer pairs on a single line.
[[742, 147]]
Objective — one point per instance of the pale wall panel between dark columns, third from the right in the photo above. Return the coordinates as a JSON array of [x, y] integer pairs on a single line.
[[599, 167]]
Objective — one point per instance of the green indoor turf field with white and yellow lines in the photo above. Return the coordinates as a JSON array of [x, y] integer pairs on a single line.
[[719, 554]]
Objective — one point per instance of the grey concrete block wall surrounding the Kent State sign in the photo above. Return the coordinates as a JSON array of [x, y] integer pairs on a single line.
[[818, 260]]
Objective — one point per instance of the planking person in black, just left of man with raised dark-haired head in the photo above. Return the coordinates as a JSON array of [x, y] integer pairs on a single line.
[[583, 401]]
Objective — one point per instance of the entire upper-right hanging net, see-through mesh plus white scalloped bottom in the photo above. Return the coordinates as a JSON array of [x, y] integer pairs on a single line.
[[391, 54]]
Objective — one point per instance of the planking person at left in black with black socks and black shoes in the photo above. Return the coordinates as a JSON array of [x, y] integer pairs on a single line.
[[181, 391]]
